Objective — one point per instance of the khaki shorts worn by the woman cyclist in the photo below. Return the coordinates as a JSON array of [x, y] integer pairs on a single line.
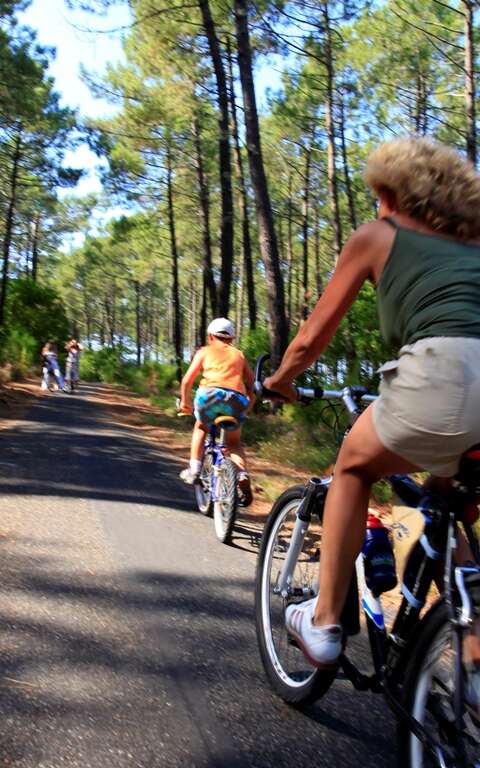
[[428, 411]]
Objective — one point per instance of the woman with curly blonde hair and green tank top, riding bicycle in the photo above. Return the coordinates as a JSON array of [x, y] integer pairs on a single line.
[[423, 254]]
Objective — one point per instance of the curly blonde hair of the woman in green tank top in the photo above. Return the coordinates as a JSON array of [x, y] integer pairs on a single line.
[[430, 182]]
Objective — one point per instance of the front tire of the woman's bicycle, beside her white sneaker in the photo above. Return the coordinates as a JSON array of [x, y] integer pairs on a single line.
[[315, 682]]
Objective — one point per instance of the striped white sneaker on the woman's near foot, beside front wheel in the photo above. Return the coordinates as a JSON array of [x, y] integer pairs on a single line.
[[321, 645]]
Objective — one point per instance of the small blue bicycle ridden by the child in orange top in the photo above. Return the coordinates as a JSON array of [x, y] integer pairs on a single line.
[[216, 490]]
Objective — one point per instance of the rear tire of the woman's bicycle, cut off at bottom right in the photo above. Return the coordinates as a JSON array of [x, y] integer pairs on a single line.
[[420, 701]]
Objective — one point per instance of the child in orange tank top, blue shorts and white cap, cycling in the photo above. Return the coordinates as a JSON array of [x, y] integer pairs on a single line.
[[226, 388]]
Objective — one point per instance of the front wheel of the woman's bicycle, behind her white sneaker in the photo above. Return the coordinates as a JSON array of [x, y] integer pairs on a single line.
[[291, 676]]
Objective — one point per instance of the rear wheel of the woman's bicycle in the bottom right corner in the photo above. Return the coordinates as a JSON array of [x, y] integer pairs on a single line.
[[429, 690]]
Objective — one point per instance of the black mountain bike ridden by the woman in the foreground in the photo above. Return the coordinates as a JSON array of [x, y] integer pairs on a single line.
[[420, 664]]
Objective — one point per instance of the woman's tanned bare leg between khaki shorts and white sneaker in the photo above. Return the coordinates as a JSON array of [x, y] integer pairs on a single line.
[[362, 460]]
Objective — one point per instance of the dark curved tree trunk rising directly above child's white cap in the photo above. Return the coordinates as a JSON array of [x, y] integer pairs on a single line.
[[226, 229]]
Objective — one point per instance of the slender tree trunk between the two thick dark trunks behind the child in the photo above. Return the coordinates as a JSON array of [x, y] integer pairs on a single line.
[[247, 266]]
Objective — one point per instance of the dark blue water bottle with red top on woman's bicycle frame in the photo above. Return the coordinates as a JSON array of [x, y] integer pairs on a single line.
[[379, 560]]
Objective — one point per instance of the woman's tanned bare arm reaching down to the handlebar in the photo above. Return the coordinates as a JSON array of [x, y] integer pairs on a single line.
[[354, 267]]
